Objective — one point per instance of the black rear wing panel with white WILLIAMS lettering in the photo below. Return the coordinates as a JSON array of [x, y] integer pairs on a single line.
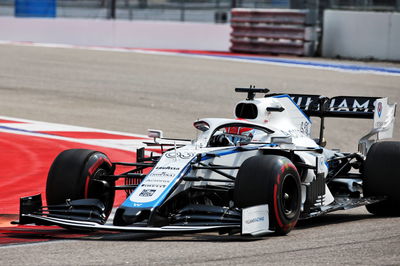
[[339, 106]]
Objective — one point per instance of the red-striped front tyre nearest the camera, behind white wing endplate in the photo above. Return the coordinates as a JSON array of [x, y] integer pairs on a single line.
[[271, 180]]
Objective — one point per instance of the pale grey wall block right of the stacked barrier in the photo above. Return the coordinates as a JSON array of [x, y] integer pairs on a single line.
[[361, 35]]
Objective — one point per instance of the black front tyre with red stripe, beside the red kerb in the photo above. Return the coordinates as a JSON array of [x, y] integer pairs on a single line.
[[76, 174]]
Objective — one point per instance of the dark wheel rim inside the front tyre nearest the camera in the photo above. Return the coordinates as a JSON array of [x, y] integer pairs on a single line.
[[289, 197]]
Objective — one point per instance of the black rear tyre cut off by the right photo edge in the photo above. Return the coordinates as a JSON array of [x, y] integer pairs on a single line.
[[382, 177]]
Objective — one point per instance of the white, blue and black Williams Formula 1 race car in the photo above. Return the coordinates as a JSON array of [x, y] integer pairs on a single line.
[[260, 172]]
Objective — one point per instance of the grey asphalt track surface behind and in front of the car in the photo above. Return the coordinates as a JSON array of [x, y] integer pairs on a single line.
[[133, 92]]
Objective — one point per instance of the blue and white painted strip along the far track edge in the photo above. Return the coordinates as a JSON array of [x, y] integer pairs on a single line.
[[345, 67]]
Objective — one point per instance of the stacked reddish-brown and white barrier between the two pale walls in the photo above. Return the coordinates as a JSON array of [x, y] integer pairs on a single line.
[[273, 31]]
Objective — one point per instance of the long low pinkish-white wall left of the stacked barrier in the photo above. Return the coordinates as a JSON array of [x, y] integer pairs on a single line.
[[135, 34]]
